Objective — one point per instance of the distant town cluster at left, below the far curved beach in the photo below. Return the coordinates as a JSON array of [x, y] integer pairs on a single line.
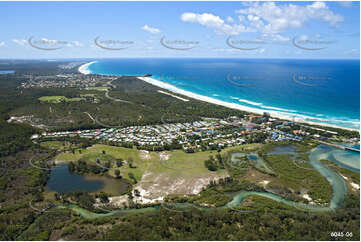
[[66, 81]]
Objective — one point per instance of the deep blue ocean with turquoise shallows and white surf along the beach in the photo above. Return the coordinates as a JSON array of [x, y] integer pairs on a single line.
[[321, 91]]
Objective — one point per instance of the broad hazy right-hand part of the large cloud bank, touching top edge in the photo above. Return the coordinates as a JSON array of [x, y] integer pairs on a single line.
[[268, 17]]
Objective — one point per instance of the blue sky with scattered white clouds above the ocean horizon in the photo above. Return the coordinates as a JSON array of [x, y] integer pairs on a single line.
[[305, 30]]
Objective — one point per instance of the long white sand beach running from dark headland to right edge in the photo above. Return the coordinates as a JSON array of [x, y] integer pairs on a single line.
[[240, 107]]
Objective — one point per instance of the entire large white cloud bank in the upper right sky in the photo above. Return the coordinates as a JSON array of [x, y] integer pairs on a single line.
[[266, 17]]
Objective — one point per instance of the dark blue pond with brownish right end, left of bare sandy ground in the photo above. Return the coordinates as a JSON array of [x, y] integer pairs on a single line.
[[62, 181]]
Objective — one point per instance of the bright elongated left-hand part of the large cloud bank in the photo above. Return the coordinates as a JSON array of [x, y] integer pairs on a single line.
[[212, 21]]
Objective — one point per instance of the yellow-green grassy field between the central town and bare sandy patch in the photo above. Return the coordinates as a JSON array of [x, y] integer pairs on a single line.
[[178, 164]]
